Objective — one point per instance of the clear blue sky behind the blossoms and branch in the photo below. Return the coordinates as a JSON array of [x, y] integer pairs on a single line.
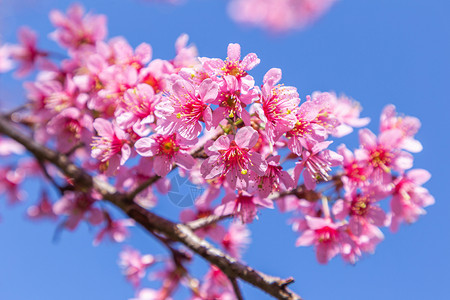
[[377, 52]]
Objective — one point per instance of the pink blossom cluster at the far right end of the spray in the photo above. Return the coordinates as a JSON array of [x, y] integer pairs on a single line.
[[377, 170]]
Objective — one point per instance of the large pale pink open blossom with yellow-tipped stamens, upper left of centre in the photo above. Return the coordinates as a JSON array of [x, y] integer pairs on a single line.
[[186, 107]]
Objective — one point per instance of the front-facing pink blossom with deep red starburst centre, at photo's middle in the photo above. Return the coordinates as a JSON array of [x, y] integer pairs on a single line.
[[232, 157]]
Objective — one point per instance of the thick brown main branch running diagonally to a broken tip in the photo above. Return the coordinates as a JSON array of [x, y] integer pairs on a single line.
[[177, 232]]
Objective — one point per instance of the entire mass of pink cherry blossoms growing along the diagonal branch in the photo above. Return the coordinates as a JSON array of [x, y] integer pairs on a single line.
[[131, 120]]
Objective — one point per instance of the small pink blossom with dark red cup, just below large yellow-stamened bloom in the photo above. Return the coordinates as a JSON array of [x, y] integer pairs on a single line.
[[166, 150]]
